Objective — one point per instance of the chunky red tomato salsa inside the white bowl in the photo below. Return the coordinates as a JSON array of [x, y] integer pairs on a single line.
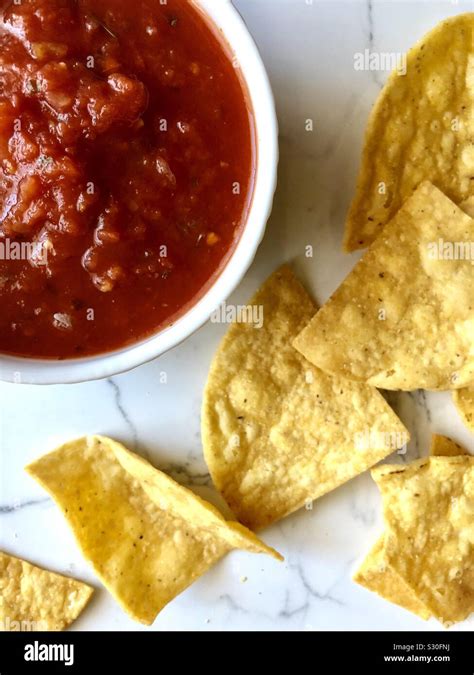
[[126, 170]]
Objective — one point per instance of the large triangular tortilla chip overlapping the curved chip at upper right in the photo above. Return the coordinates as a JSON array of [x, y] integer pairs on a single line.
[[403, 318]]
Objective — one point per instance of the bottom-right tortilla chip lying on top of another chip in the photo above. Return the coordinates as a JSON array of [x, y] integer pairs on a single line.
[[429, 540]]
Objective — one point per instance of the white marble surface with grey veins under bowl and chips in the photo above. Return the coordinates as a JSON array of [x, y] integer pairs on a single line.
[[308, 49]]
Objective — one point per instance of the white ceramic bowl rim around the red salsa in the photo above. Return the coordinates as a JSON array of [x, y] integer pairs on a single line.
[[39, 371]]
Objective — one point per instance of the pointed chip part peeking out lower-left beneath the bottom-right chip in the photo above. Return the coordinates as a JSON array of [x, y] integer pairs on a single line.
[[378, 576]]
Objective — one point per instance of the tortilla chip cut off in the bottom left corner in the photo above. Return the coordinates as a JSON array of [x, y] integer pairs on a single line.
[[34, 599]]
